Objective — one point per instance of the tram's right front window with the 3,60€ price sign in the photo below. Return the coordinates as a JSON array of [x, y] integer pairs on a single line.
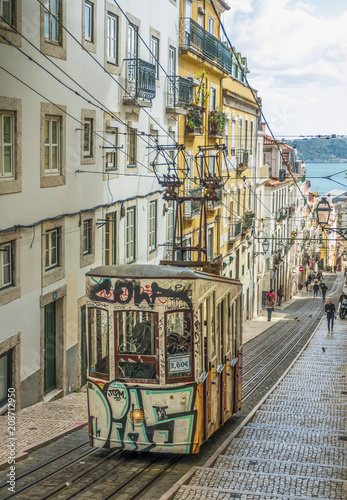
[[179, 344]]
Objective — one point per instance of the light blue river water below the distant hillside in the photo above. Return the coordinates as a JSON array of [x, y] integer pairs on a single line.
[[316, 172]]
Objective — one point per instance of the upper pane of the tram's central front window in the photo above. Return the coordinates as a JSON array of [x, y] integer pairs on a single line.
[[136, 333]]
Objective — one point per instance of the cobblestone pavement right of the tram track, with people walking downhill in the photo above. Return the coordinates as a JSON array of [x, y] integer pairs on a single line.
[[294, 446]]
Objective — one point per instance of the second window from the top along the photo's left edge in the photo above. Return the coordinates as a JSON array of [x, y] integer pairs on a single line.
[[6, 144]]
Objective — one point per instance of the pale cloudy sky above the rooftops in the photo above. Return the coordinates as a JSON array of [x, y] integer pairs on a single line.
[[297, 56]]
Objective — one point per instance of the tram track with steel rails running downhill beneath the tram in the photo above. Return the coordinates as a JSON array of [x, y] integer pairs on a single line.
[[130, 476]]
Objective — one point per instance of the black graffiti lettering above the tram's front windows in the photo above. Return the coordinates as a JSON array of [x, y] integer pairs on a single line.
[[125, 291]]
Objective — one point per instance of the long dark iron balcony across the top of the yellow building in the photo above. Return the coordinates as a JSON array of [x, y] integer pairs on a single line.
[[194, 37]]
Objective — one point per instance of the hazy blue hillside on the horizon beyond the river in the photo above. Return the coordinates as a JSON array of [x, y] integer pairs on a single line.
[[322, 149]]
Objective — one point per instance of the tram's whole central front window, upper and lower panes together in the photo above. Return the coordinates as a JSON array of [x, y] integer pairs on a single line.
[[136, 341]]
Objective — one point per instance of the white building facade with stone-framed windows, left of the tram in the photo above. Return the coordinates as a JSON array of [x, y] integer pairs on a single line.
[[78, 132]]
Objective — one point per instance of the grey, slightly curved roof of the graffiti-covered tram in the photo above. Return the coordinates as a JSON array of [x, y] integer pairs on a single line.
[[154, 271]]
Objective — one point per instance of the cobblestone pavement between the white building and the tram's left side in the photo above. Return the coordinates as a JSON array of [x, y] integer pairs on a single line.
[[42, 423]]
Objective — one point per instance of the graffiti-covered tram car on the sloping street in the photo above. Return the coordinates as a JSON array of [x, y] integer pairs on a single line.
[[165, 356]]
